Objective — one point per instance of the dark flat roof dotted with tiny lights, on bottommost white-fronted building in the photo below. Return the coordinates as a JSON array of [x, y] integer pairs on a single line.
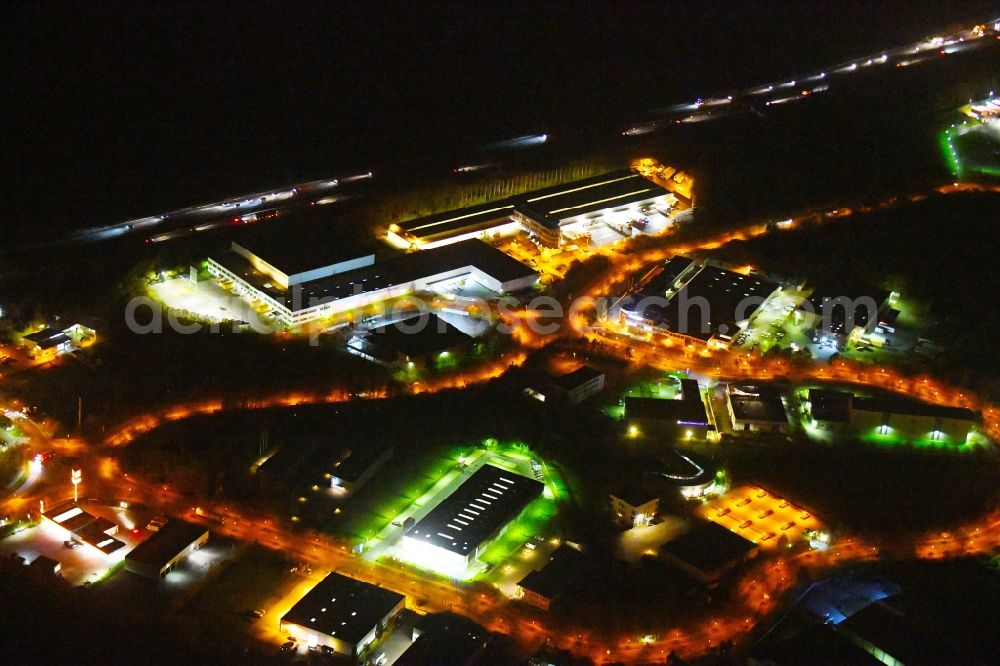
[[343, 607]]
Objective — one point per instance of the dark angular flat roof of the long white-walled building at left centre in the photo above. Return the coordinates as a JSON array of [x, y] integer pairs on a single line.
[[397, 270]]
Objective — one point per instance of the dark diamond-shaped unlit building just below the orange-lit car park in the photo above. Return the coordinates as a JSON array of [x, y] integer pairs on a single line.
[[708, 552]]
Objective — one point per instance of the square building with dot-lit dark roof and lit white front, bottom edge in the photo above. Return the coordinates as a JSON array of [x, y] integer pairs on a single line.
[[342, 613]]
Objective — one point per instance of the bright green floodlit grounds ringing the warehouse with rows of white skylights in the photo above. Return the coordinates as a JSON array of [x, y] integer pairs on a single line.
[[379, 535]]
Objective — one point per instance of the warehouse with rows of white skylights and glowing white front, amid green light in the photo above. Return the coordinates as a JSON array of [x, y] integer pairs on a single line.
[[455, 532]]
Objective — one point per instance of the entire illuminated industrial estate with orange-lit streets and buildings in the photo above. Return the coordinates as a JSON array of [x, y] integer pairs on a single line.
[[565, 425]]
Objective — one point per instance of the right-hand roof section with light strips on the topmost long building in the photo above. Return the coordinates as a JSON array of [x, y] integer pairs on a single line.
[[618, 188]]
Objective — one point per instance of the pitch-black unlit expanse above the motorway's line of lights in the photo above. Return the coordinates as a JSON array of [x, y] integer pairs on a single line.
[[118, 109]]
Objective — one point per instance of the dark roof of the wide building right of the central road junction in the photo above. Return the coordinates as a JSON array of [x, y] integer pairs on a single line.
[[720, 292]]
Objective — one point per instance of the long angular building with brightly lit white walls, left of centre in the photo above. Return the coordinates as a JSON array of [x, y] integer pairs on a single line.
[[307, 292]]
